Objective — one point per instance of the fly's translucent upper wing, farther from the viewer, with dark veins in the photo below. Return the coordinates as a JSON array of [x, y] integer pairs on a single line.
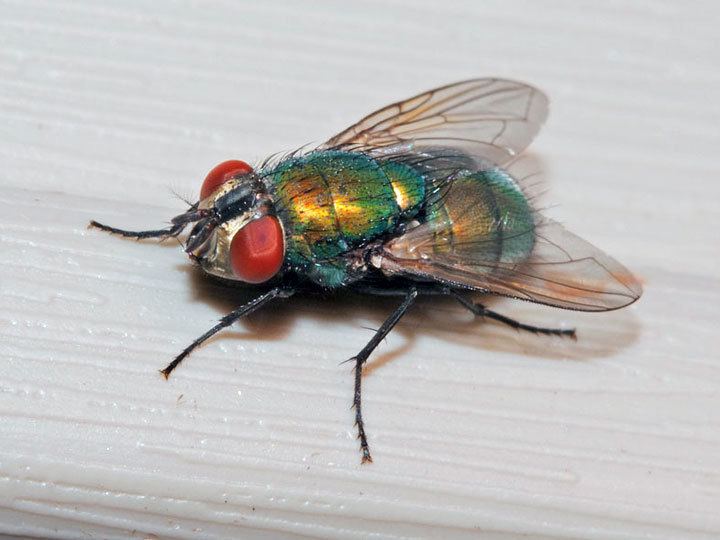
[[494, 119]]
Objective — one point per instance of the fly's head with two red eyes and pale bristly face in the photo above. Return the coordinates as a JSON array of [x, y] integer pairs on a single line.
[[235, 233]]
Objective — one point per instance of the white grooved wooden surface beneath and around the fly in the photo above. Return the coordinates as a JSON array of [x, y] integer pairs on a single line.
[[477, 432]]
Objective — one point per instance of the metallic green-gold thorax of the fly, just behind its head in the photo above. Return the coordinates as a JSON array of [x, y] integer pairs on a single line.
[[333, 201]]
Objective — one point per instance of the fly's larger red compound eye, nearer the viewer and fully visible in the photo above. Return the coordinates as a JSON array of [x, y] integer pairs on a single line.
[[256, 250]]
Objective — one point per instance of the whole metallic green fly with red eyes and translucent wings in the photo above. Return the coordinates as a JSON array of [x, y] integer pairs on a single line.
[[417, 198]]
